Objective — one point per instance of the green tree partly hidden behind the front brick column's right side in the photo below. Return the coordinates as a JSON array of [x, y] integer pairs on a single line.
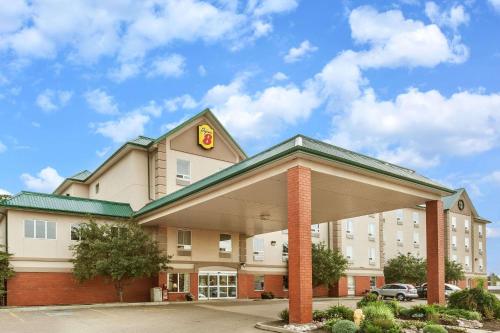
[[328, 266]]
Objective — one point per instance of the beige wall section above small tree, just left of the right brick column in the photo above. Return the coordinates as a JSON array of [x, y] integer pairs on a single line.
[[391, 228]]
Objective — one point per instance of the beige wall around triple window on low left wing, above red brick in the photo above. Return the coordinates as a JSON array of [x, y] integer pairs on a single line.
[[43, 253]]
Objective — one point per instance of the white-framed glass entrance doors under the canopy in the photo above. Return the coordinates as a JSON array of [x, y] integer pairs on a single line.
[[217, 285]]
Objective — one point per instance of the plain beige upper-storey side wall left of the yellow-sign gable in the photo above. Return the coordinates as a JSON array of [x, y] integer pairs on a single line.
[[126, 181]]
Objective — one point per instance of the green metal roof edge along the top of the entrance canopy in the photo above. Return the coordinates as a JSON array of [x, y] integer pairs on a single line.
[[297, 143]]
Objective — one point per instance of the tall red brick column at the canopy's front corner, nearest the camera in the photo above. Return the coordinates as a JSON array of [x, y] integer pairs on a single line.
[[299, 244]]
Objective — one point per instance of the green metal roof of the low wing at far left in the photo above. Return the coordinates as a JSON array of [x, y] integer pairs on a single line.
[[60, 203]]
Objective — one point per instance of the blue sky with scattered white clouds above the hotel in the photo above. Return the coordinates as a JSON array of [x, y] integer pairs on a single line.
[[411, 82]]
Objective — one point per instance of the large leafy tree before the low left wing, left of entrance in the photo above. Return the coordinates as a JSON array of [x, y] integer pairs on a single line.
[[118, 252]]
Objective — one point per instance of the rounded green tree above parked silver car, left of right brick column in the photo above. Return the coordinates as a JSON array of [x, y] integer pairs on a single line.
[[406, 269]]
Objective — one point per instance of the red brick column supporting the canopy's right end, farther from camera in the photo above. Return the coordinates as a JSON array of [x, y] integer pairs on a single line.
[[435, 252]]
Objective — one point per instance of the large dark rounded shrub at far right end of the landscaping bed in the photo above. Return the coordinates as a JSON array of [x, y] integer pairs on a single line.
[[476, 299]]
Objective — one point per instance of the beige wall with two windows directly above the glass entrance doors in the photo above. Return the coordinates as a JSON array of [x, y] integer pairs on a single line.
[[205, 246]]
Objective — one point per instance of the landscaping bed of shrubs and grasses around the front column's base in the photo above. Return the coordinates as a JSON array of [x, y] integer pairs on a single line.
[[468, 309]]
